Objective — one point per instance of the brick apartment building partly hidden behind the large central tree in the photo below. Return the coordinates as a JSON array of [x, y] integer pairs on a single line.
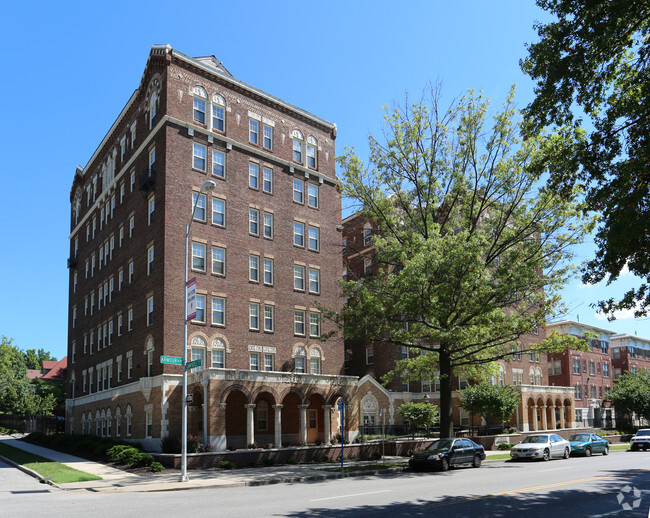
[[542, 406]]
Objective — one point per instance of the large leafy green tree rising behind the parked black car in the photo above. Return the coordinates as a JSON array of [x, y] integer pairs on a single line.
[[471, 250]]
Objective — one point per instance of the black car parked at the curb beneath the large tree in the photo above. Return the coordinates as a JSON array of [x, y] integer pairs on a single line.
[[445, 453]]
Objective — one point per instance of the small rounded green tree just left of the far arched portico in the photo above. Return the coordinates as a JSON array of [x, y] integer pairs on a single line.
[[492, 402]]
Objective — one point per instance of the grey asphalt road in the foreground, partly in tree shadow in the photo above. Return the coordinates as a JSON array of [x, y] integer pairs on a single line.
[[617, 485]]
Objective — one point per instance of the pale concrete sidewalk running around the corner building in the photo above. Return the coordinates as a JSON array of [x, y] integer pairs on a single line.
[[118, 481]]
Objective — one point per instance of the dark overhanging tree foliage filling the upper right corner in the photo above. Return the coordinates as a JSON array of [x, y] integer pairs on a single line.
[[592, 63]]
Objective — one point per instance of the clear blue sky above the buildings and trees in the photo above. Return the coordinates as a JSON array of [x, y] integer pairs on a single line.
[[71, 67]]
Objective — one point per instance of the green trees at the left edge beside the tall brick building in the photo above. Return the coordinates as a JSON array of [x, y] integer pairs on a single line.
[[17, 395]]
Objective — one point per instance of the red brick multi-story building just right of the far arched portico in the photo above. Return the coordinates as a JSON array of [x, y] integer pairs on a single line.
[[589, 372]]
